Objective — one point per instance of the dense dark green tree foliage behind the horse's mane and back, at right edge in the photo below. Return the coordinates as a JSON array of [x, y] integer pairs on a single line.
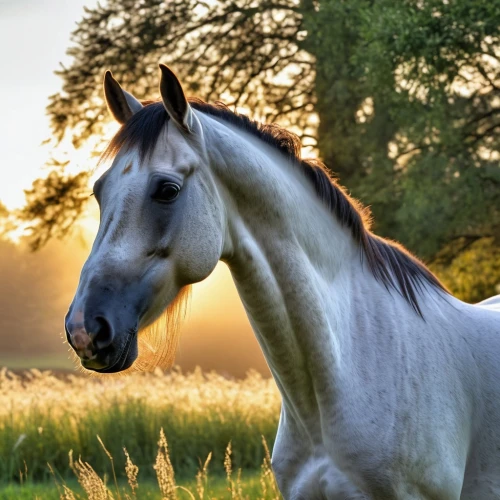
[[408, 95]]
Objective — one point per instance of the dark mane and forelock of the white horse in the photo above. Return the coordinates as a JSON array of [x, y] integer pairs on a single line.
[[389, 262]]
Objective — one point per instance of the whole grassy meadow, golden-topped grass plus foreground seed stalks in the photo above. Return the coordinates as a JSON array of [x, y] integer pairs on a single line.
[[197, 435]]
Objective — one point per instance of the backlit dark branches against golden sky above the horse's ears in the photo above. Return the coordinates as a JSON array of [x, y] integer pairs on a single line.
[[245, 51]]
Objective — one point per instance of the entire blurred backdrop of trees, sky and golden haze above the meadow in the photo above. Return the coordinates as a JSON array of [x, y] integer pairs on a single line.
[[400, 99]]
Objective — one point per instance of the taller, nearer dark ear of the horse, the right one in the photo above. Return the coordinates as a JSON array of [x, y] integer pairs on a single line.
[[174, 99]]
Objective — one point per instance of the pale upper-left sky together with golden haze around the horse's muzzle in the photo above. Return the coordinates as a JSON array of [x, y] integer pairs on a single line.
[[35, 290]]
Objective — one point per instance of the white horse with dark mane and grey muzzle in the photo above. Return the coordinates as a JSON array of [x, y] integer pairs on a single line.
[[390, 386]]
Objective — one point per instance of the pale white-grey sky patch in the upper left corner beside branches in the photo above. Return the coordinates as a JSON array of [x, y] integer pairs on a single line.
[[33, 40]]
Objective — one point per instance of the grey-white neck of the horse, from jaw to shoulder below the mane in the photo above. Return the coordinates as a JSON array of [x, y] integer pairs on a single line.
[[294, 267]]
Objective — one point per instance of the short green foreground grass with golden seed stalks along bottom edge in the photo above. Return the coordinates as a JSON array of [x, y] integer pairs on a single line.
[[87, 484]]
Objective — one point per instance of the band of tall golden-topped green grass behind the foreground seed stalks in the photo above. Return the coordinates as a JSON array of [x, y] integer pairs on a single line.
[[42, 417]]
